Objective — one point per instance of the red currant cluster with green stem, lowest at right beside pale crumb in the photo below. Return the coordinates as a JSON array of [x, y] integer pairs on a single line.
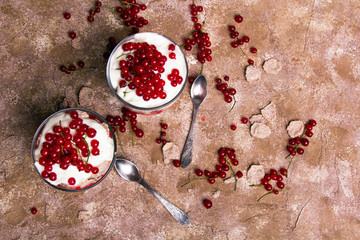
[[275, 176]]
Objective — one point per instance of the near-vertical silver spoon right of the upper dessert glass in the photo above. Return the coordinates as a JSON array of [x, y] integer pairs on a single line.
[[198, 93]]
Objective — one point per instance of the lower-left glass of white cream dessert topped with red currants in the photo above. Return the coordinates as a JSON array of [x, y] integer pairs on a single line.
[[73, 153]]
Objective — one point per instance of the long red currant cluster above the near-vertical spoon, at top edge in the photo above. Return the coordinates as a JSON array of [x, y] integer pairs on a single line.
[[200, 37]]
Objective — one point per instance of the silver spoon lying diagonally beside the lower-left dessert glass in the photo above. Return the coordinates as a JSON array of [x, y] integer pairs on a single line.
[[129, 171]]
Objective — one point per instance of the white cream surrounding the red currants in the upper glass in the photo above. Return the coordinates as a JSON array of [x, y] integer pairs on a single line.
[[162, 44]]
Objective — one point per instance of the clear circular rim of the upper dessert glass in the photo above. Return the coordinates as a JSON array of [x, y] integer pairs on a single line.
[[169, 103]]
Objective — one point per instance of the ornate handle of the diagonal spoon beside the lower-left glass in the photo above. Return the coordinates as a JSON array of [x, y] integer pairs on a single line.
[[176, 212]]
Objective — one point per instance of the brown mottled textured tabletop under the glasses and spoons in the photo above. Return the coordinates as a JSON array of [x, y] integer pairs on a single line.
[[317, 43]]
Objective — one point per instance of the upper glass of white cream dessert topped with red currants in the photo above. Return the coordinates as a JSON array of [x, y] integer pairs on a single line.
[[147, 72]]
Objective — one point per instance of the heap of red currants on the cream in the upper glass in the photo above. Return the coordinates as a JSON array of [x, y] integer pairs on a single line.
[[141, 71]]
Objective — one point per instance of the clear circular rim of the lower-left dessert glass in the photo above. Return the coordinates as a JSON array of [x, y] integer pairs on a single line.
[[40, 128]]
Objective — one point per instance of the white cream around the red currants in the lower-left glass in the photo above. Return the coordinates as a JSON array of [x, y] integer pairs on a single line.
[[102, 161]]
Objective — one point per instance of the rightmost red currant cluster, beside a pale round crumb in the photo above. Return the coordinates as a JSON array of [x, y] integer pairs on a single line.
[[294, 143]]
